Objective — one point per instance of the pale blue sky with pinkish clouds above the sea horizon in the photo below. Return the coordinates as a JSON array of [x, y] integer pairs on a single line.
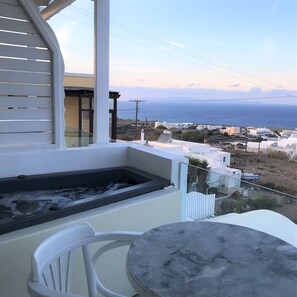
[[191, 49]]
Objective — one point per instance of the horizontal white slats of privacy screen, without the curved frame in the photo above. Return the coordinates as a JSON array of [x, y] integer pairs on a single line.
[[26, 96]]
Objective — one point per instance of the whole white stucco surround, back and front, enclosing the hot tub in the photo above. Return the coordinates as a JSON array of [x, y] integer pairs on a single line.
[[136, 214]]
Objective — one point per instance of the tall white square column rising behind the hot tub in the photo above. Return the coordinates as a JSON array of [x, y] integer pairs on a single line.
[[101, 71]]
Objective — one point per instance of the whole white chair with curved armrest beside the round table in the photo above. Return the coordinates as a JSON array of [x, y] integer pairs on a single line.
[[52, 261]]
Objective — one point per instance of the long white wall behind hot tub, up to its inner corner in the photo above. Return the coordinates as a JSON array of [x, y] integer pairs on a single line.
[[49, 161]]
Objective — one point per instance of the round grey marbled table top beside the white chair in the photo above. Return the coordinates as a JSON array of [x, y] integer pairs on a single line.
[[211, 259]]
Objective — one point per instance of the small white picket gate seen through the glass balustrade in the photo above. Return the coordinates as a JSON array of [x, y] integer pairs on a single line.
[[199, 206]]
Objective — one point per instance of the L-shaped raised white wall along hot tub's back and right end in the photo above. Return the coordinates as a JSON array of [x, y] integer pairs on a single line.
[[103, 156]]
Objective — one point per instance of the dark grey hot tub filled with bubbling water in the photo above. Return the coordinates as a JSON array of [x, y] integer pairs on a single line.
[[29, 200]]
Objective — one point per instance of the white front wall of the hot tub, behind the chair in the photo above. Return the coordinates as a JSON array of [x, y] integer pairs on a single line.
[[135, 214]]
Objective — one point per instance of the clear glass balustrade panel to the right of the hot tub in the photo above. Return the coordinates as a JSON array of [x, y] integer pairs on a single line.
[[220, 194]]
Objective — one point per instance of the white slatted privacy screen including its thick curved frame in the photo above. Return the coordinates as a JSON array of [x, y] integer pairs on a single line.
[[31, 78]]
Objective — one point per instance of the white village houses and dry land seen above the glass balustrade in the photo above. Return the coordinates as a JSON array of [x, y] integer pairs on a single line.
[[262, 155]]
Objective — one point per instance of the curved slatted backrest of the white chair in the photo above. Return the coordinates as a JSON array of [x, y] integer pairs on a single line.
[[52, 260]]
